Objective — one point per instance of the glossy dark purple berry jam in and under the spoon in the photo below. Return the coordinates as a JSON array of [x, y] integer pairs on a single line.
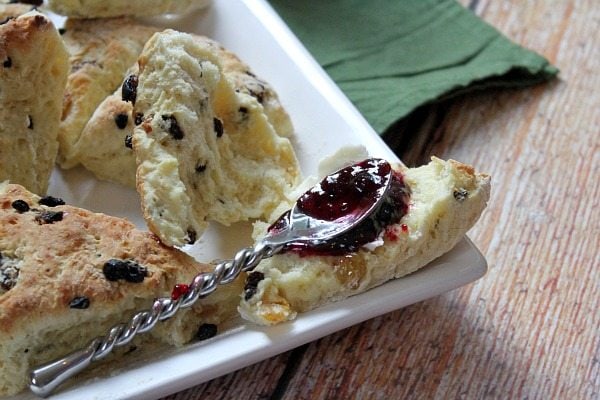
[[349, 192]]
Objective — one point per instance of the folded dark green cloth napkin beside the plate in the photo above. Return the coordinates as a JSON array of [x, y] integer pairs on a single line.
[[391, 56]]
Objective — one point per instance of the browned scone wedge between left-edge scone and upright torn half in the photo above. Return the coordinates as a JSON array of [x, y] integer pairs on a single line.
[[101, 51]]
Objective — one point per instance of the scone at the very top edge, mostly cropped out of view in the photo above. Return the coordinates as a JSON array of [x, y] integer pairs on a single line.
[[117, 8]]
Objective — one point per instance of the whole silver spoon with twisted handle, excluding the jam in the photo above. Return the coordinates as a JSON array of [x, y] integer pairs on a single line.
[[298, 228]]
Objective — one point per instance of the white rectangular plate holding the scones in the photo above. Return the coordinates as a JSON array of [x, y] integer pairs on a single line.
[[324, 120]]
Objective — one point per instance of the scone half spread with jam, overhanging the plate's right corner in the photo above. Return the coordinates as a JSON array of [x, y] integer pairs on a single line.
[[446, 199]]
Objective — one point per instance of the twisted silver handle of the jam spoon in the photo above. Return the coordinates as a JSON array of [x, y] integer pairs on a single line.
[[46, 378]]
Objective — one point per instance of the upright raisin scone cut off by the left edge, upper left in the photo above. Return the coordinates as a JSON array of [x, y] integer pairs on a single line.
[[32, 81]]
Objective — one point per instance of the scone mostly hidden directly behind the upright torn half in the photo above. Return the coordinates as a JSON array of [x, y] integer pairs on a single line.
[[104, 145]]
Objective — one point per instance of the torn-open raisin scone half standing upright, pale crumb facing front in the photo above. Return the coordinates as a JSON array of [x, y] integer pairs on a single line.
[[193, 166]]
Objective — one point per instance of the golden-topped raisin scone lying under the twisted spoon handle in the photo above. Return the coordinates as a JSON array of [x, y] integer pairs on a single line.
[[67, 275]]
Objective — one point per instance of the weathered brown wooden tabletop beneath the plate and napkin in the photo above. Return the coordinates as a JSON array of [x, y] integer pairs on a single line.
[[531, 327]]
